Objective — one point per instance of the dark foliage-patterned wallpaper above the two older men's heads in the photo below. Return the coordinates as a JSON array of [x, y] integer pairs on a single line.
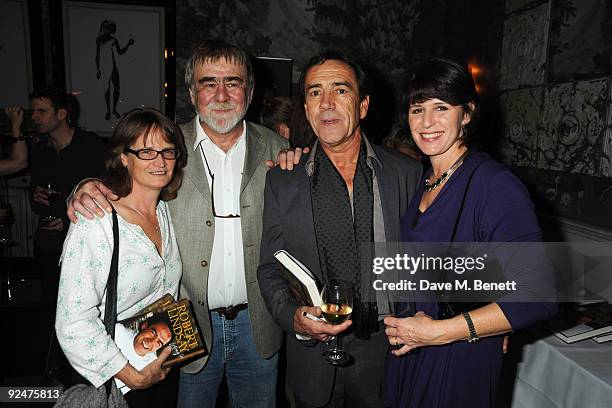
[[388, 35]]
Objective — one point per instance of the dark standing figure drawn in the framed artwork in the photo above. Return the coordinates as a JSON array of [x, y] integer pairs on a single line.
[[107, 48]]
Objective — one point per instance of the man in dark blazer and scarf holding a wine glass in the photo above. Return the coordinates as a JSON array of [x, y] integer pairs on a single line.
[[343, 194]]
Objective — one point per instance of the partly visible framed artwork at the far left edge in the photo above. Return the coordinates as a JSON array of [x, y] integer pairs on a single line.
[[15, 77]]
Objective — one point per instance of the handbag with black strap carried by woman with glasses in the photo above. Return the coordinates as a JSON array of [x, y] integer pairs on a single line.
[[107, 395]]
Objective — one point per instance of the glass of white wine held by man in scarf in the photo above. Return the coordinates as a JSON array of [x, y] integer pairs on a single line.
[[336, 309]]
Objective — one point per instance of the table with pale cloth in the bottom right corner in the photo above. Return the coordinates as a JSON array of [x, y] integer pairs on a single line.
[[555, 374]]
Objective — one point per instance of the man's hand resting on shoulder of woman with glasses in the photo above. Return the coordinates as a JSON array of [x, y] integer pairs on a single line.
[[91, 198]]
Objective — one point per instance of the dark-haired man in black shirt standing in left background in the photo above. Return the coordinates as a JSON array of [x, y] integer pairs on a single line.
[[63, 156]]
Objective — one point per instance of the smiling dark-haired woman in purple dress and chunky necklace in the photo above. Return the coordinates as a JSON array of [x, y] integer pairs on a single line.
[[465, 197]]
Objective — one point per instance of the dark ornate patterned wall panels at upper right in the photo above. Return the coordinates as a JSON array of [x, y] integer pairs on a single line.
[[555, 78]]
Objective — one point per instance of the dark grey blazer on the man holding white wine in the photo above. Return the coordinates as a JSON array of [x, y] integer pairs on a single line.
[[288, 224]]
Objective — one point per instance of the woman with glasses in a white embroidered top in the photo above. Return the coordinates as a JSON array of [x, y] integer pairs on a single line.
[[146, 156]]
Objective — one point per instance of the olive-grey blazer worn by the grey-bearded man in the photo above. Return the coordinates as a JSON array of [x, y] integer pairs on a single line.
[[194, 225]]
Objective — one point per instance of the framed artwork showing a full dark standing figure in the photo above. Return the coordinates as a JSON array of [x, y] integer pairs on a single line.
[[114, 58]]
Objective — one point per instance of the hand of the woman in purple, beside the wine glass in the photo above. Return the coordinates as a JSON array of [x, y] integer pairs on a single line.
[[412, 332]]
